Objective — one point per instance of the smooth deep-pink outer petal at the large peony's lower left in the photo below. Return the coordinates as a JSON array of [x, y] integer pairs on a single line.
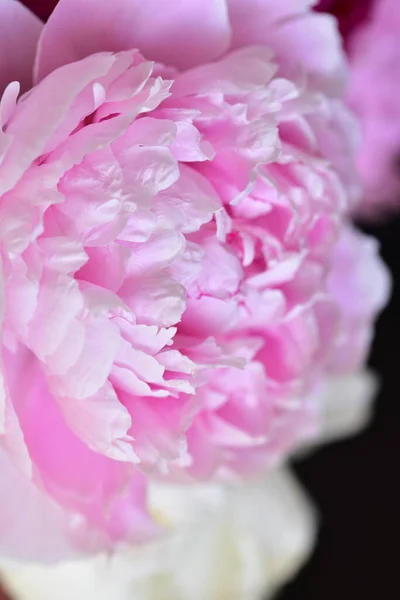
[[81, 480]]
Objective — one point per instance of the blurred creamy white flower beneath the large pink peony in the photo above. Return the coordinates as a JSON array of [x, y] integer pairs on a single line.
[[225, 543]]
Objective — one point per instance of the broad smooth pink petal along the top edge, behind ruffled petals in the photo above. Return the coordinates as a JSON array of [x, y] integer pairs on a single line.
[[181, 34]]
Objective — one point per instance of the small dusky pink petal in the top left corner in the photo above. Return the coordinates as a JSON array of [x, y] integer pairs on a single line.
[[19, 35]]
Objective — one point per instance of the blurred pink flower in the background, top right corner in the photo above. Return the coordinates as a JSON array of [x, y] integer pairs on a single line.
[[372, 30]]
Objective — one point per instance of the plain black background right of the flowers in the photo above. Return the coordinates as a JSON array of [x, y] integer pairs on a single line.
[[355, 483]]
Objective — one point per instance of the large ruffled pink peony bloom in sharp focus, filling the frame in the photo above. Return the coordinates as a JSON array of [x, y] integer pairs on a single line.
[[172, 192]]
